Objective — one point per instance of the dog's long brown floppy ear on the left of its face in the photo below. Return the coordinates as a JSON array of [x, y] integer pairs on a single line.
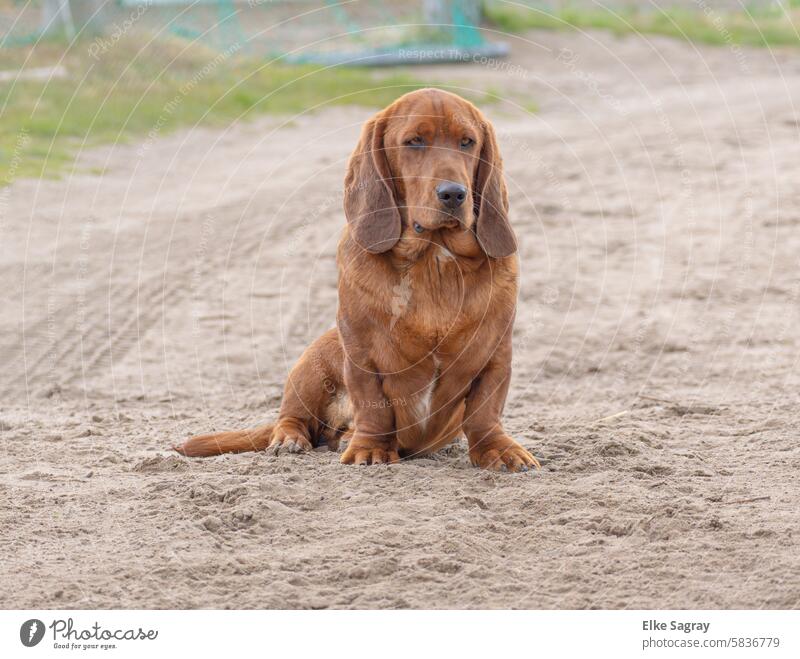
[[369, 202]]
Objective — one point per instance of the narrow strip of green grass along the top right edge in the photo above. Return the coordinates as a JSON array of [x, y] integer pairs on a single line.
[[719, 27]]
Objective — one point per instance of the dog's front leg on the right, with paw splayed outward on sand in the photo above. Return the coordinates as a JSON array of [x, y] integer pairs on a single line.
[[490, 447]]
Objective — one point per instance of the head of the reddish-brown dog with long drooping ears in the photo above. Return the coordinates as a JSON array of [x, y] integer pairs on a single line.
[[428, 162]]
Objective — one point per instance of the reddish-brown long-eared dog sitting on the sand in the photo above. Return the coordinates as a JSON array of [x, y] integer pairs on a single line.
[[427, 293]]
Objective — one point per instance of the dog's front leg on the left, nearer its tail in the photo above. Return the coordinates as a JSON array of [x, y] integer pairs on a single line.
[[373, 440]]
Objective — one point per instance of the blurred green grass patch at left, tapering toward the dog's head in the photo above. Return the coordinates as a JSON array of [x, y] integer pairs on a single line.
[[127, 93]]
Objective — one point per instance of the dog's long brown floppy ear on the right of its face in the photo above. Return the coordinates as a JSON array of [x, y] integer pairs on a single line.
[[491, 200]]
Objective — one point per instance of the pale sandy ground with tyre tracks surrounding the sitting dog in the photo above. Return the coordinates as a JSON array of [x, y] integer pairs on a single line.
[[655, 197]]
